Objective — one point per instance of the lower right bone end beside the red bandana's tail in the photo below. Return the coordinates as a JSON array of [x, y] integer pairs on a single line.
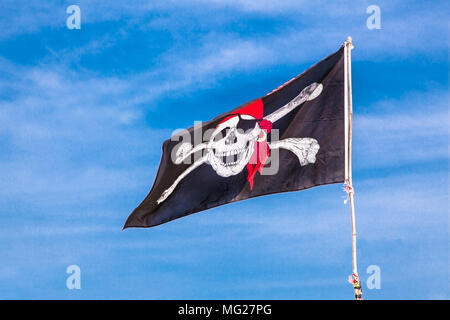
[[304, 148]]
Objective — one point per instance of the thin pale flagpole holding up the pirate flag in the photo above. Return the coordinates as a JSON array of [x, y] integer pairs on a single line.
[[348, 177]]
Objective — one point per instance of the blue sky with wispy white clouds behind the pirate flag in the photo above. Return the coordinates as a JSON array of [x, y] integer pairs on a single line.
[[83, 114]]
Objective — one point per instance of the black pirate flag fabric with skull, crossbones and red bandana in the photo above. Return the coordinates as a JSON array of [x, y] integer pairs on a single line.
[[290, 139]]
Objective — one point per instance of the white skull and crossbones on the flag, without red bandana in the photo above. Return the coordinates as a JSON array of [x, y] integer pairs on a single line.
[[232, 143]]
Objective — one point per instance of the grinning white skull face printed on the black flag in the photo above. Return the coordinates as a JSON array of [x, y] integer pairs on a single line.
[[230, 148]]
